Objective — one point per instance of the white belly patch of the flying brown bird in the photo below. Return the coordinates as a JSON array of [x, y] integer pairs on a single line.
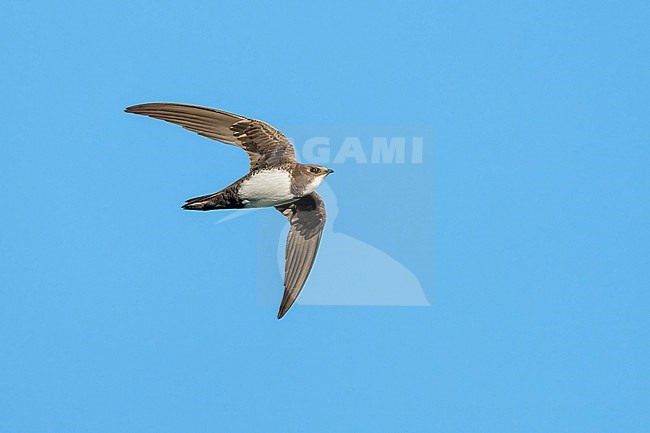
[[266, 188]]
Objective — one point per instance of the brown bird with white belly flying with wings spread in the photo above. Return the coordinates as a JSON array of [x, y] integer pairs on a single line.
[[276, 179]]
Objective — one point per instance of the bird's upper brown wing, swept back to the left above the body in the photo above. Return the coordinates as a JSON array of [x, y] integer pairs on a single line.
[[265, 145]]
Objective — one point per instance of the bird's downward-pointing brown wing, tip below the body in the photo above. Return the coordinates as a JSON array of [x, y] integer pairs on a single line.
[[307, 217]]
